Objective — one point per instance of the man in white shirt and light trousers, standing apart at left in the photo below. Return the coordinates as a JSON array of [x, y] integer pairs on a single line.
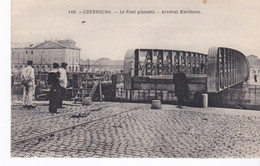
[[27, 78]]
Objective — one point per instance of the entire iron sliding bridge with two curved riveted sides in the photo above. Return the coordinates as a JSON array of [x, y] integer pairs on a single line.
[[147, 70]]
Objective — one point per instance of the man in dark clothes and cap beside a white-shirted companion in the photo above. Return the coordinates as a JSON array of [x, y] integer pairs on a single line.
[[54, 94]]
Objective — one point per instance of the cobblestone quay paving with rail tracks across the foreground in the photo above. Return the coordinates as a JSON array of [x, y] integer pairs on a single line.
[[134, 130]]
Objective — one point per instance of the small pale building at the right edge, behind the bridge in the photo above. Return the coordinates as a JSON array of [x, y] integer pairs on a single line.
[[254, 64]]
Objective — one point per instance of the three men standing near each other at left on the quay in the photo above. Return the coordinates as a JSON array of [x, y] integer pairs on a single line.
[[57, 80]]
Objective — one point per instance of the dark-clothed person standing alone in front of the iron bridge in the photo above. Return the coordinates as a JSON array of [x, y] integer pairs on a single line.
[[181, 86]]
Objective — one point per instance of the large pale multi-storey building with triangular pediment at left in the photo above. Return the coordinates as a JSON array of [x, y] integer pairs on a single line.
[[45, 54]]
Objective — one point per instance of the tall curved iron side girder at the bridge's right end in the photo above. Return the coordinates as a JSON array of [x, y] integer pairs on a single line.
[[227, 67]]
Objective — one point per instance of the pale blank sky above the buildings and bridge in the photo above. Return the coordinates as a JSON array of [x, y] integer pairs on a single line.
[[221, 23]]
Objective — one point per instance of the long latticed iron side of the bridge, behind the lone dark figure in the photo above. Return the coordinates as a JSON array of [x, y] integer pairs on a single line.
[[149, 62]]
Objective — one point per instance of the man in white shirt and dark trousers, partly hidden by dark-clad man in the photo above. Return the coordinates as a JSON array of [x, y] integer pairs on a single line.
[[63, 82]]
